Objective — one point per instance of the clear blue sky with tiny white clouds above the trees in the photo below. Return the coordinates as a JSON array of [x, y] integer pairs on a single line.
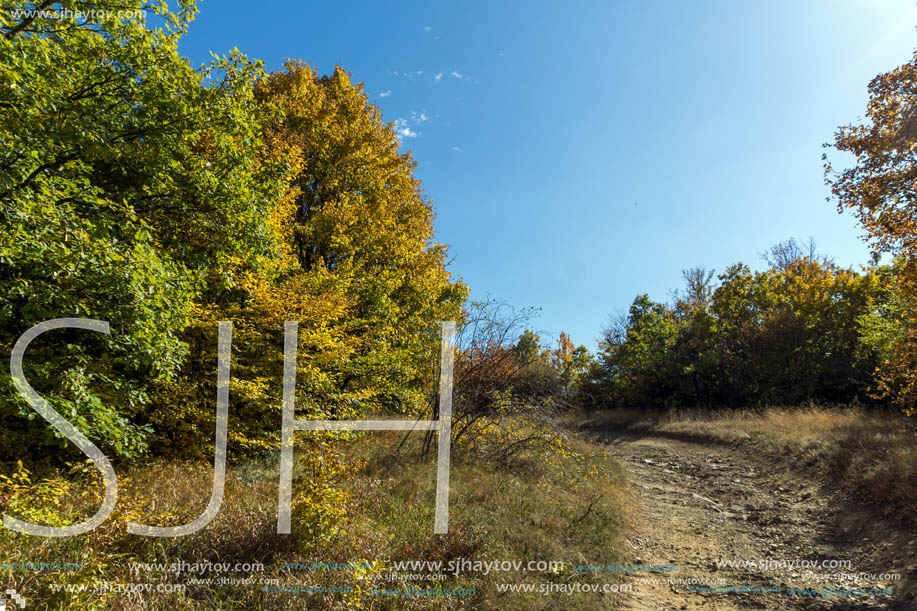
[[578, 154]]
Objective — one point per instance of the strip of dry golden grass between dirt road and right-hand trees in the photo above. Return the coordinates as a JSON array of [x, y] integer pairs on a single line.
[[872, 453]]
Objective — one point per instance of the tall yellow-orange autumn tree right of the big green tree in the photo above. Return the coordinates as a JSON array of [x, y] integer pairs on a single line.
[[351, 257]]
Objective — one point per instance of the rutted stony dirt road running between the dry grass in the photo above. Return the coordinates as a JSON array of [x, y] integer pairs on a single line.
[[698, 504]]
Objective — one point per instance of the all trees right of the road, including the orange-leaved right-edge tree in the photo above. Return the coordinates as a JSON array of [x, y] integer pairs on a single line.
[[804, 329]]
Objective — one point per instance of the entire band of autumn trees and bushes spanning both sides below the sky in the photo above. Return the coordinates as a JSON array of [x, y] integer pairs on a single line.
[[163, 198]]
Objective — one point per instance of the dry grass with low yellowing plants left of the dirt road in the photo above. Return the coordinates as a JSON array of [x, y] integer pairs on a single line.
[[557, 506]]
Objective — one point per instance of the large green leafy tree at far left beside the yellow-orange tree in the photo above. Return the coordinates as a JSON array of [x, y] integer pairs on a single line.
[[129, 183]]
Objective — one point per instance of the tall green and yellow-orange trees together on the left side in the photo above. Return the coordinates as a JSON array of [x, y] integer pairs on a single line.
[[163, 198]]
